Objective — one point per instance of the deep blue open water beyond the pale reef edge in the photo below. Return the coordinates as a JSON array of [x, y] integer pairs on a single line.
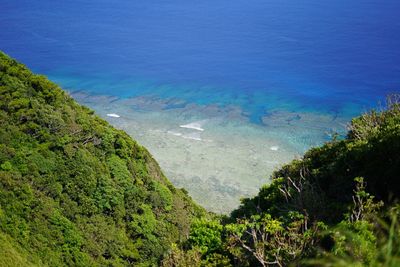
[[327, 56]]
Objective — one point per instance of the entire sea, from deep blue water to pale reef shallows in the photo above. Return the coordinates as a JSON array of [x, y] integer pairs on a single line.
[[221, 92]]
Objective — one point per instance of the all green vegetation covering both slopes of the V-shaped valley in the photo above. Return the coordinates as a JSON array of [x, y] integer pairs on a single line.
[[75, 191]]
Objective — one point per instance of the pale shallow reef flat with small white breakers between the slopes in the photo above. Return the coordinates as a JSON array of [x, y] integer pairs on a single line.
[[212, 151]]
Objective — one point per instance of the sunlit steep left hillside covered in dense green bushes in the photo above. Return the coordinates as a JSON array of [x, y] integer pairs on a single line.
[[74, 190]]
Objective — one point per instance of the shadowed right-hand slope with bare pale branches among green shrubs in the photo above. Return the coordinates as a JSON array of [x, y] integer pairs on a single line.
[[337, 206]]
